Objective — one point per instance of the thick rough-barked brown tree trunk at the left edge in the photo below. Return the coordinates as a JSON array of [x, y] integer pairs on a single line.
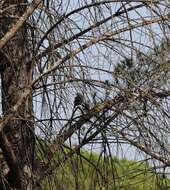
[[17, 138]]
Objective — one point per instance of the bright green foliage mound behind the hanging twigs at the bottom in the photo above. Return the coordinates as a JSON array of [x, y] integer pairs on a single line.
[[91, 171]]
